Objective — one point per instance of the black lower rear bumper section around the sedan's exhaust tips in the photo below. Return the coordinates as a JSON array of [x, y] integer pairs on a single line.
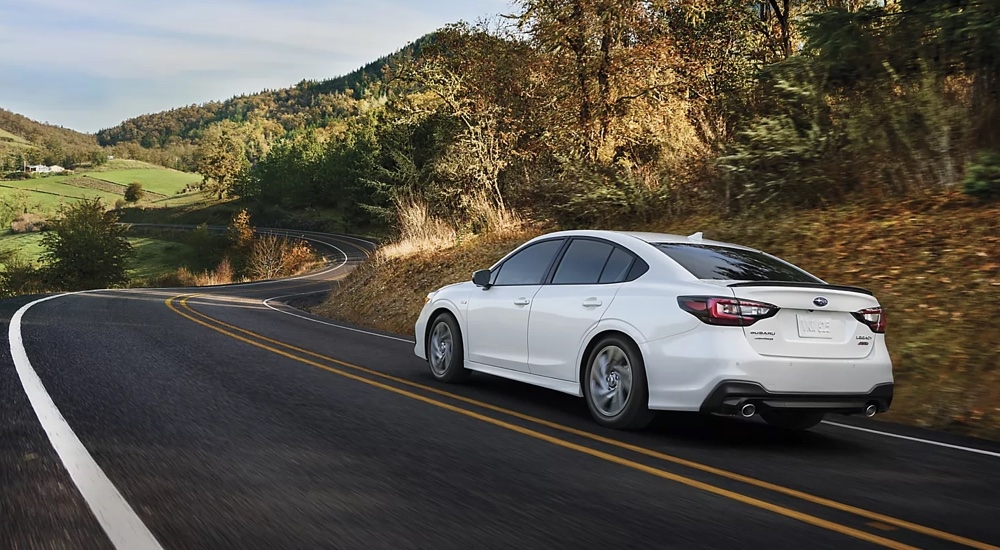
[[730, 396]]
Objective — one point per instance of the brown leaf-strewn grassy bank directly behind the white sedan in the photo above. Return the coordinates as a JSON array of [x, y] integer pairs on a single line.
[[932, 260]]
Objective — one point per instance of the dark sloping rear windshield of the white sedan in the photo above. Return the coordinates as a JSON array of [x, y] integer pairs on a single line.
[[724, 263]]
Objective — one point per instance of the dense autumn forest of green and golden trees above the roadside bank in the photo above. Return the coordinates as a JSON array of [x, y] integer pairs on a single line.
[[592, 112]]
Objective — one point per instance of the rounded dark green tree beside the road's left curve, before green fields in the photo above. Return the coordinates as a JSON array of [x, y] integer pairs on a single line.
[[86, 248]]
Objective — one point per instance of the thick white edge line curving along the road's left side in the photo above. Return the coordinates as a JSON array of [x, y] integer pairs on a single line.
[[113, 512]]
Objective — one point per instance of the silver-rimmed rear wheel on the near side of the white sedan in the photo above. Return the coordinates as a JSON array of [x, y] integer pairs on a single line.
[[614, 384]]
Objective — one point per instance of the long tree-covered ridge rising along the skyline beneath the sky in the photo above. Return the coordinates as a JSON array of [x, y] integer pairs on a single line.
[[307, 104]]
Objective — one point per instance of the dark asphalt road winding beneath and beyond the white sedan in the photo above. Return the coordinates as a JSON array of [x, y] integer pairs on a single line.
[[231, 420]]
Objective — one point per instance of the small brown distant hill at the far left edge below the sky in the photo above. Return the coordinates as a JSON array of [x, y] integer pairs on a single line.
[[26, 141]]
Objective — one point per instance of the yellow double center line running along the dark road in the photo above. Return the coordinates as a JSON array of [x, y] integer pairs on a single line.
[[258, 341]]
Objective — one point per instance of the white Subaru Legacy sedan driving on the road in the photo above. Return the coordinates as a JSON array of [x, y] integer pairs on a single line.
[[640, 322]]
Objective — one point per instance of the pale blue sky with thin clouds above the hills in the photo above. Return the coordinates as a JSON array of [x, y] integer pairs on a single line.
[[90, 64]]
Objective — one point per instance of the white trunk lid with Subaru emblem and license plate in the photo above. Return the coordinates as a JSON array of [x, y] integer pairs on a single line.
[[814, 320]]
